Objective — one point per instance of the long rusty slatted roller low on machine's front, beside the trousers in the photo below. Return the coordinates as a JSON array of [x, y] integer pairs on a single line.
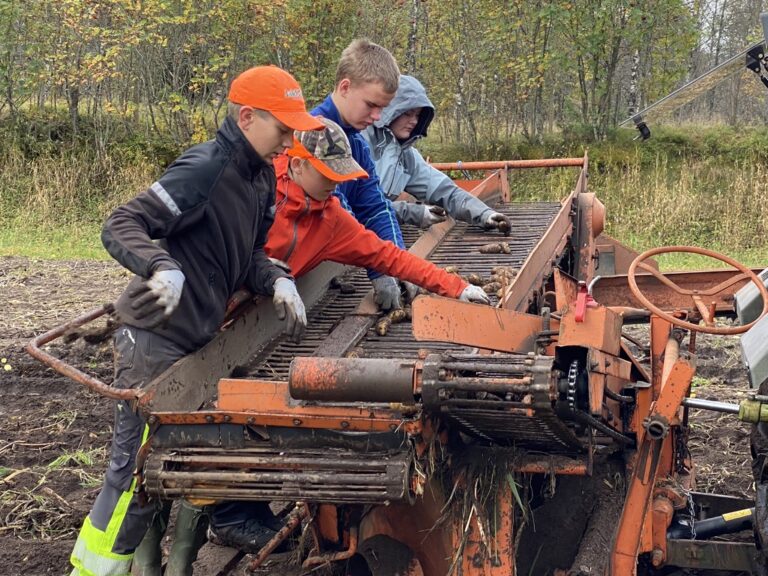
[[320, 475]]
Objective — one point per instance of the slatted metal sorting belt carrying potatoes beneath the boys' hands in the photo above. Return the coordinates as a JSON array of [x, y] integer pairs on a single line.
[[530, 221]]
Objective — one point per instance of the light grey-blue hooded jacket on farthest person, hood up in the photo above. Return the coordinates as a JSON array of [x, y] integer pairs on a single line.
[[402, 168]]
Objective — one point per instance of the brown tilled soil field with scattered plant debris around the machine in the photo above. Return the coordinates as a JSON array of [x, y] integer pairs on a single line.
[[54, 433]]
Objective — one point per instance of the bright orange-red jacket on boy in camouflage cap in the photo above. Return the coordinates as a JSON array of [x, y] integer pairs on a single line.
[[307, 232]]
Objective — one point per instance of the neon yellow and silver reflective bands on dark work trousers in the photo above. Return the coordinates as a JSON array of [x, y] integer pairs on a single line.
[[92, 555]]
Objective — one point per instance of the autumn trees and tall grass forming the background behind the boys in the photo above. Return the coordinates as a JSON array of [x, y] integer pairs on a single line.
[[97, 97]]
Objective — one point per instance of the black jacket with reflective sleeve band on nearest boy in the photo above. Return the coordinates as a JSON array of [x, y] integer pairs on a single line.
[[211, 211]]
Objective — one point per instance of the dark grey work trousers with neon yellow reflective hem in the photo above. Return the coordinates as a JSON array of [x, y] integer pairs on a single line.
[[118, 521]]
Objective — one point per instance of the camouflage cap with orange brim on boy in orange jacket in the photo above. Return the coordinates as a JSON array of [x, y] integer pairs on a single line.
[[329, 151]]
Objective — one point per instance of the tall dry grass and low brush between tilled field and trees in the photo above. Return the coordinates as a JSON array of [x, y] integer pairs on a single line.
[[701, 186]]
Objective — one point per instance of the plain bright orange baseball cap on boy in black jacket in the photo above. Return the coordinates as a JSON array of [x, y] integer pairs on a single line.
[[273, 89]]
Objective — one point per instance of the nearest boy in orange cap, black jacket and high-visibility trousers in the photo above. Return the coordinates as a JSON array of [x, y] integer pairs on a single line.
[[193, 238]]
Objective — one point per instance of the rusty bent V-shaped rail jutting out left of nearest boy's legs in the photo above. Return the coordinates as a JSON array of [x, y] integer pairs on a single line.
[[34, 350]]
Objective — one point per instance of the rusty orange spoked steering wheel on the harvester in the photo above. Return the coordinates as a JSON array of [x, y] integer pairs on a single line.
[[697, 296]]
